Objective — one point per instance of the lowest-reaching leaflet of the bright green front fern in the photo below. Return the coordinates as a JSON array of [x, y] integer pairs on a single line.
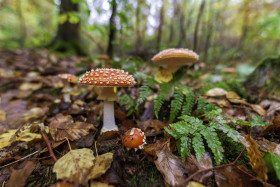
[[214, 143]]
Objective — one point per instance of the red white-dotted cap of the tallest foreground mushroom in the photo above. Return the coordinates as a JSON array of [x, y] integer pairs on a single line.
[[107, 78]]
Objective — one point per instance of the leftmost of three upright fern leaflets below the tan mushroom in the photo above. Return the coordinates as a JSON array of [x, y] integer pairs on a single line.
[[165, 91]]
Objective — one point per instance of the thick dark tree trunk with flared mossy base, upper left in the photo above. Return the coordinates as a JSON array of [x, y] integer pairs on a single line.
[[67, 38]]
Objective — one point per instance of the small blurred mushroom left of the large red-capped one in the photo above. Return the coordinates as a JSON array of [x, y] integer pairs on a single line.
[[67, 89]]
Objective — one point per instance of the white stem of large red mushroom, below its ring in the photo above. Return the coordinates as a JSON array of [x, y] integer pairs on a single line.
[[109, 123]]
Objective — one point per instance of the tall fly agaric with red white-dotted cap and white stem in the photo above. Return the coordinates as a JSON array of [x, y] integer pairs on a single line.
[[108, 79]]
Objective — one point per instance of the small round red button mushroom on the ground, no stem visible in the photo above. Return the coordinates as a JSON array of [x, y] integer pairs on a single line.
[[134, 138]]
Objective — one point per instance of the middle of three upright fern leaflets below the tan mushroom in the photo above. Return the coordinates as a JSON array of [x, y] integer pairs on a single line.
[[176, 103]]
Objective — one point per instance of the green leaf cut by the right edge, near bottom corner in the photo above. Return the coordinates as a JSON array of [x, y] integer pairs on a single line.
[[272, 162]]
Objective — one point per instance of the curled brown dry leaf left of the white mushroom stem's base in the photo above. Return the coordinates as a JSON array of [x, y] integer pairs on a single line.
[[64, 126]]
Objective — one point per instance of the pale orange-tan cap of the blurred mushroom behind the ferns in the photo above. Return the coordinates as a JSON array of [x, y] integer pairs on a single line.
[[175, 57]]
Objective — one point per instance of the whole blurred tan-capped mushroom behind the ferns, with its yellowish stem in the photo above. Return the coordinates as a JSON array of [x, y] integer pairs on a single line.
[[170, 59]]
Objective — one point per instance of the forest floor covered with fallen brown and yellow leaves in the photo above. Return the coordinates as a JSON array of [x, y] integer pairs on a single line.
[[33, 112]]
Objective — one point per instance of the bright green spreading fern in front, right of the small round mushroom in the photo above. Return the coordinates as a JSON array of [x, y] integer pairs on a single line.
[[191, 132]]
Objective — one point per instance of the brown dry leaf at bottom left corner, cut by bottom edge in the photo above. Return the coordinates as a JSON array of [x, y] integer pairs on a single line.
[[19, 177]]
